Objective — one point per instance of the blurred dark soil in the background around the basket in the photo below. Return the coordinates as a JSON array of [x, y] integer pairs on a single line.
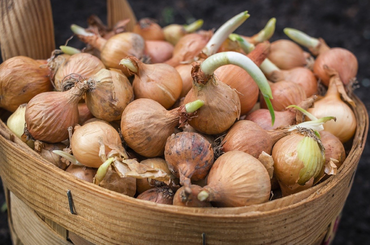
[[341, 23]]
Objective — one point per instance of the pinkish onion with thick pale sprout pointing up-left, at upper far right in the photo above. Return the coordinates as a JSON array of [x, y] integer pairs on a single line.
[[339, 59]]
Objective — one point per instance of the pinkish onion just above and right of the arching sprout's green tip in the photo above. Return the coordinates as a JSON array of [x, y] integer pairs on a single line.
[[285, 93]]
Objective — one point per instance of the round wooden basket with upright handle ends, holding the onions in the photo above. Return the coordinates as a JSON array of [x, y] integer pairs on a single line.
[[42, 212]]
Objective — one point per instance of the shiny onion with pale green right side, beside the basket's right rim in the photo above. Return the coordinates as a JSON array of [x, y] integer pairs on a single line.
[[298, 160]]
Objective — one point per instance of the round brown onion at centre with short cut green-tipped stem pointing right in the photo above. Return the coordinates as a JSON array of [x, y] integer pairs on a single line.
[[146, 124]]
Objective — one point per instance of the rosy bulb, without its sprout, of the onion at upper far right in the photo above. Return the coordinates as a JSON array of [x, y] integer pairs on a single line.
[[339, 59]]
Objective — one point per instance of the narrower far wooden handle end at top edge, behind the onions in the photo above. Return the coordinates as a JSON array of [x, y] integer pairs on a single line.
[[120, 10]]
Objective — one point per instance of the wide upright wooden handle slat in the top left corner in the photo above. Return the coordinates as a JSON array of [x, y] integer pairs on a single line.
[[26, 28]]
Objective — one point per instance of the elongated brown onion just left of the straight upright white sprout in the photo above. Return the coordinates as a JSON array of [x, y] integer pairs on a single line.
[[188, 47]]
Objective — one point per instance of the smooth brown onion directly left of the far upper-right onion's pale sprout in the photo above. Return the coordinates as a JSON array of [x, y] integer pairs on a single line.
[[286, 54]]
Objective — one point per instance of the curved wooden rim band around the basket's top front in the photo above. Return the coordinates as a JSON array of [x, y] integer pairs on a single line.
[[106, 217]]
